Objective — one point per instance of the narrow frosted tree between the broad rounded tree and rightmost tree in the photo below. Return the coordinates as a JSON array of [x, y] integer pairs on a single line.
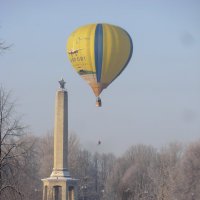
[[163, 172]]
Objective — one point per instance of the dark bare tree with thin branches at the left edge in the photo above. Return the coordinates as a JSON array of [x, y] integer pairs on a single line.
[[11, 130]]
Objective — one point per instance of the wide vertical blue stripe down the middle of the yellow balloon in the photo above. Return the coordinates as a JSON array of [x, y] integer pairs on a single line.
[[98, 46]]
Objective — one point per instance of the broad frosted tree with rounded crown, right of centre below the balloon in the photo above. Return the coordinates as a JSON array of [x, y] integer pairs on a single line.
[[130, 178]]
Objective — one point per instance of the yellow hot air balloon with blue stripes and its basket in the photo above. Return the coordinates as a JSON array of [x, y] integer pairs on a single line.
[[99, 53]]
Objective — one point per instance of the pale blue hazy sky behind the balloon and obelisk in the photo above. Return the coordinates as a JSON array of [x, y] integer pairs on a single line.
[[156, 100]]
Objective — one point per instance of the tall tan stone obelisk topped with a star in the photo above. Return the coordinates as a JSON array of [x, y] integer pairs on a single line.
[[60, 186]]
